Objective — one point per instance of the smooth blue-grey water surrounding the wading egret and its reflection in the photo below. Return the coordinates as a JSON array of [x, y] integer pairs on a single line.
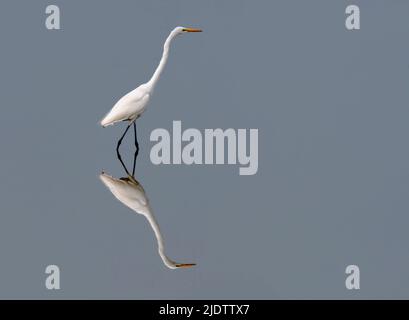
[[331, 107]]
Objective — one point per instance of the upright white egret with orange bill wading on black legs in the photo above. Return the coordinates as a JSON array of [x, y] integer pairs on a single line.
[[133, 104]]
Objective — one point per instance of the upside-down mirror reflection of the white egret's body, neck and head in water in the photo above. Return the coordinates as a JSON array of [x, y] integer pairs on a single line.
[[130, 192]]
